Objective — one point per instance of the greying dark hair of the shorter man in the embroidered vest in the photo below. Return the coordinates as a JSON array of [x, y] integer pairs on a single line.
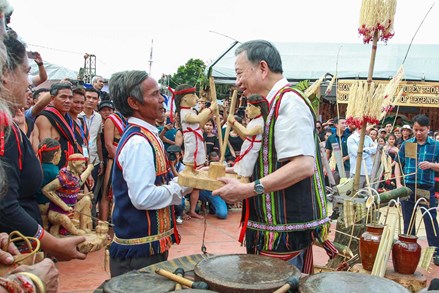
[[126, 84]]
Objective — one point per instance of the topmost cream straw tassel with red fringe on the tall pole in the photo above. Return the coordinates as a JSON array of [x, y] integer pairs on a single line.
[[377, 15]]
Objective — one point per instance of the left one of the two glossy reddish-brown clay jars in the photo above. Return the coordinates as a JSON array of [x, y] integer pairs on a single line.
[[369, 242]]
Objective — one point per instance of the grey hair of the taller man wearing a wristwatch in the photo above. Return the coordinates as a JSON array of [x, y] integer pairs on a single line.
[[260, 50]]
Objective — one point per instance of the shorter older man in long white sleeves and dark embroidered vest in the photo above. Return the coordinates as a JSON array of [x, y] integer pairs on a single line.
[[143, 194]]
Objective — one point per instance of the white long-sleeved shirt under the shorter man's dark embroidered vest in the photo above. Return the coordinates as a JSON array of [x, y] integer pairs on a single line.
[[137, 161]]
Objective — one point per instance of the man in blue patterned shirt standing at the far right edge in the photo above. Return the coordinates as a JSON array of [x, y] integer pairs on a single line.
[[424, 165]]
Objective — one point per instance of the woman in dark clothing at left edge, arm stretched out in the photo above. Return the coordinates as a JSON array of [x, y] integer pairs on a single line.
[[19, 208]]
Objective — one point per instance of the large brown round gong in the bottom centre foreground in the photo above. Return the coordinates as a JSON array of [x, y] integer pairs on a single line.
[[244, 272]]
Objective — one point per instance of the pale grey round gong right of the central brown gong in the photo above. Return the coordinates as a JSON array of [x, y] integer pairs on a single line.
[[337, 282]]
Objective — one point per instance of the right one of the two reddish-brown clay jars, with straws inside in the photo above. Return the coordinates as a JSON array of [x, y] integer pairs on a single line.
[[406, 253]]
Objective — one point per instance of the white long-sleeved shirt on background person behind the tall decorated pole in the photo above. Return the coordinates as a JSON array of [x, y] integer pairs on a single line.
[[369, 150]]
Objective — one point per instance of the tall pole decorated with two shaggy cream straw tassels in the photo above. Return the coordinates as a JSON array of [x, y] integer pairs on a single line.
[[366, 99]]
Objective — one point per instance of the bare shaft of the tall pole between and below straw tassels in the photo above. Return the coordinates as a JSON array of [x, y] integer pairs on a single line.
[[363, 127]]
